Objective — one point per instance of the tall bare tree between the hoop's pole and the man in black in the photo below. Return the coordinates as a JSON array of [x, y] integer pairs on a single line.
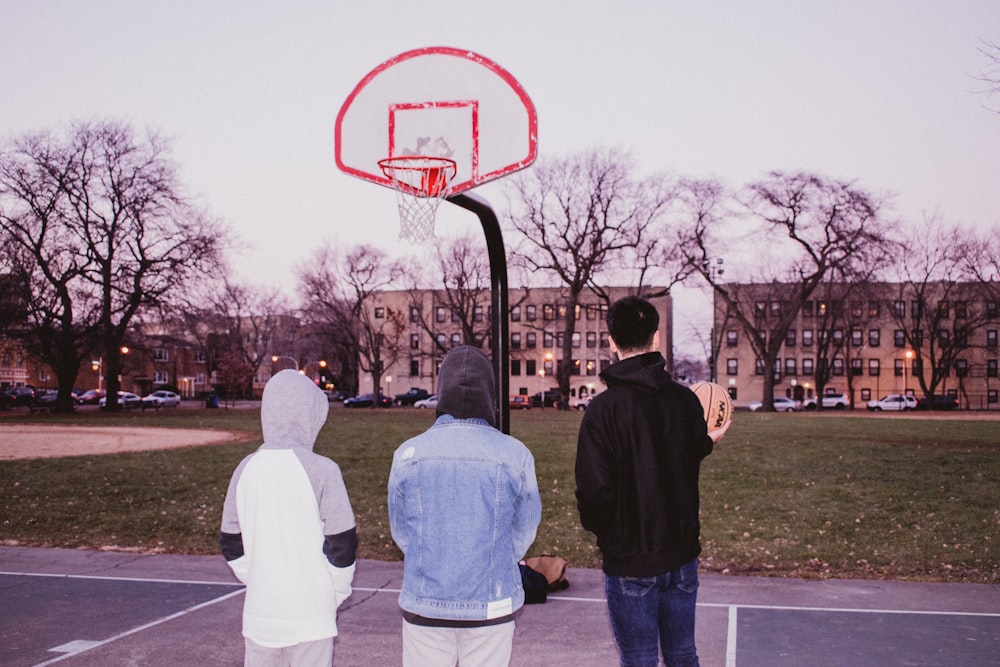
[[578, 219]]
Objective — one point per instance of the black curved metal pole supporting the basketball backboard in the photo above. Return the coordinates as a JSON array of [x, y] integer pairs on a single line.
[[499, 338]]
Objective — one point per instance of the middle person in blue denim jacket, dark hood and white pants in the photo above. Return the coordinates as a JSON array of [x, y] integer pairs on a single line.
[[464, 508]]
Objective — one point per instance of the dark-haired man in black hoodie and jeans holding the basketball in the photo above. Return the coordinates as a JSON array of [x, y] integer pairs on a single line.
[[639, 452]]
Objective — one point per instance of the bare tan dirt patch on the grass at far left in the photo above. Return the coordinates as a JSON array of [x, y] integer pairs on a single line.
[[26, 441]]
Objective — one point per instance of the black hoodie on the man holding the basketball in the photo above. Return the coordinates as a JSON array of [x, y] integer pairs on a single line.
[[638, 457]]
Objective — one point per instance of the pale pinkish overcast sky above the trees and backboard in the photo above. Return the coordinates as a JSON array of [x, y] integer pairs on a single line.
[[881, 92]]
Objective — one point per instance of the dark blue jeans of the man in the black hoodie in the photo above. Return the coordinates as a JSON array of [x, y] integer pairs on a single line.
[[651, 612]]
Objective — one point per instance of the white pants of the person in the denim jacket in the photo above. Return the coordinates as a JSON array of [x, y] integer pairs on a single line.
[[489, 646]]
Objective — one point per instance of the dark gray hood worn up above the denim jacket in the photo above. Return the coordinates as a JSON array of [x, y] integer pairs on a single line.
[[466, 387]]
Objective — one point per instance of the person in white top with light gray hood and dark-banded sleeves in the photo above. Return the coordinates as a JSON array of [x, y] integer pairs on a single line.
[[288, 531]]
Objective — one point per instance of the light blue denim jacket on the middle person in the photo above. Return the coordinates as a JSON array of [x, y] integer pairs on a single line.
[[464, 508]]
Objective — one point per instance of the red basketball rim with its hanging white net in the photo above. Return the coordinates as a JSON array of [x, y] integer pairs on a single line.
[[421, 182]]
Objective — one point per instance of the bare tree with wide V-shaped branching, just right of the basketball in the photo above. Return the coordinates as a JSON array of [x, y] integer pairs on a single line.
[[804, 229]]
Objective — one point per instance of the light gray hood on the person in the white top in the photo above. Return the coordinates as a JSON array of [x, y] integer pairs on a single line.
[[292, 411]]
